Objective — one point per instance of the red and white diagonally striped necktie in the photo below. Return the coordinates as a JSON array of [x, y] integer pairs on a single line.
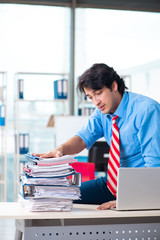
[[114, 159]]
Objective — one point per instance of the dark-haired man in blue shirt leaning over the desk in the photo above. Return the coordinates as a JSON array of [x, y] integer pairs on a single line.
[[138, 124]]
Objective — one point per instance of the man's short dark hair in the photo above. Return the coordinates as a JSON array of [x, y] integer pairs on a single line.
[[98, 76]]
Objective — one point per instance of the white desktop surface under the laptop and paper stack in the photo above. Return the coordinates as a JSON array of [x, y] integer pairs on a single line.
[[12, 210]]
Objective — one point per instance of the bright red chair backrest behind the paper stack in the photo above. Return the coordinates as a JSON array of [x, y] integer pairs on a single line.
[[86, 169]]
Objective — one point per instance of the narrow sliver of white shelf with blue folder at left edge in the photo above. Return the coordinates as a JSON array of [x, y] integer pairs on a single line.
[[3, 136]]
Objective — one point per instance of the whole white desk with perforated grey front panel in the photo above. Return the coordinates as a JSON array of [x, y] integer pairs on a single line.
[[83, 222]]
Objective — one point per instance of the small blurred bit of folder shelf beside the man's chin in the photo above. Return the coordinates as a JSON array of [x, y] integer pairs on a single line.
[[85, 106]]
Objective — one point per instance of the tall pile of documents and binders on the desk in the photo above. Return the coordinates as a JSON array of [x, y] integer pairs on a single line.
[[49, 184]]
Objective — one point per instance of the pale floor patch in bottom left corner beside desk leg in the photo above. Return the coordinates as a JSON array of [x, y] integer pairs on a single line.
[[7, 229]]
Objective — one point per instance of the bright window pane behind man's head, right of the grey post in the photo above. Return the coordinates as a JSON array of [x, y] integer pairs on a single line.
[[126, 40]]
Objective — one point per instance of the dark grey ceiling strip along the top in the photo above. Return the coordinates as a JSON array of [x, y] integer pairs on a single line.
[[137, 5]]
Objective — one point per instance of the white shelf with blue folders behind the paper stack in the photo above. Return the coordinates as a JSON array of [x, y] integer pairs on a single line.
[[39, 97]]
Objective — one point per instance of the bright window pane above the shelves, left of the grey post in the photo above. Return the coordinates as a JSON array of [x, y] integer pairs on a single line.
[[33, 39]]
